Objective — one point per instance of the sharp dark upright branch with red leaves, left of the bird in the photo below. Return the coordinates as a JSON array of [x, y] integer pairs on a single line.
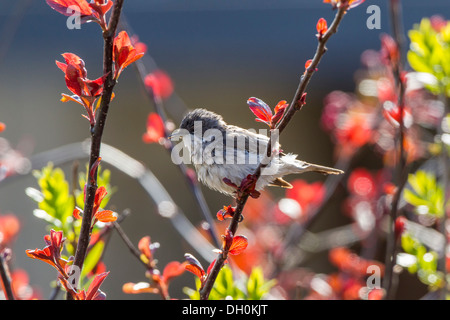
[[97, 132]]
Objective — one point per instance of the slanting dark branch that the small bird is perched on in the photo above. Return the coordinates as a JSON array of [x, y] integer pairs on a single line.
[[295, 106]]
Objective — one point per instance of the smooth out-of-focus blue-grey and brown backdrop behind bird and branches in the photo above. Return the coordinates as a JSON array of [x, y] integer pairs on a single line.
[[218, 54]]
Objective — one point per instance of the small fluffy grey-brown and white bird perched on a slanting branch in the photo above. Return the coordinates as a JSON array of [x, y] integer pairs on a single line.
[[219, 150]]
